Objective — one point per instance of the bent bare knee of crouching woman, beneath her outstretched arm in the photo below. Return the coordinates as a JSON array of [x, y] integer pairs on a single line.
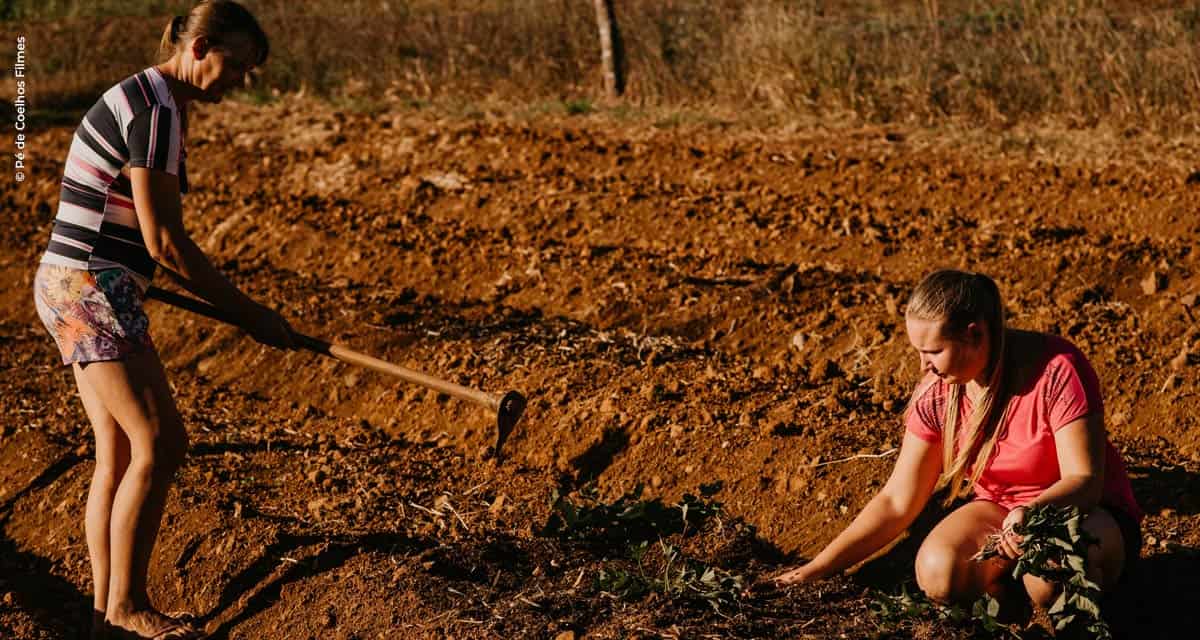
[[945, 570]]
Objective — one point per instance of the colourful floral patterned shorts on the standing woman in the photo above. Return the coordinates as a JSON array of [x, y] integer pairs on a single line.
[[93, 316]]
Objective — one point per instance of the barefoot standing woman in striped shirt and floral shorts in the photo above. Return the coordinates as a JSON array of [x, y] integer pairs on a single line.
[[119, 217]]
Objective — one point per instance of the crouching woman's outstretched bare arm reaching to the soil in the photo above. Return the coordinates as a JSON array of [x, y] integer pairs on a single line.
[[885, 517]]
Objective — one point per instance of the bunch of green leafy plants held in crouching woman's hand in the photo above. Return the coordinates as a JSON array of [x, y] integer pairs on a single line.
[[1055, 549]]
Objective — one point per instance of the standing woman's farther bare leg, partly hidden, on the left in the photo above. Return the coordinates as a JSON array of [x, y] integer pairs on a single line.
[[112, 459]]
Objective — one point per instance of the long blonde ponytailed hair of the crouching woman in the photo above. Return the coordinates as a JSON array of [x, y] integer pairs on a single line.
[[959, 298]]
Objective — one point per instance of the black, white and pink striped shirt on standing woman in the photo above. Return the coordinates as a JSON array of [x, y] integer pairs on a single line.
[[135, 124]]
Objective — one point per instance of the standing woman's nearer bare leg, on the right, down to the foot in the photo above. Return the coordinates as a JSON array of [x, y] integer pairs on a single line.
[[136, 394]]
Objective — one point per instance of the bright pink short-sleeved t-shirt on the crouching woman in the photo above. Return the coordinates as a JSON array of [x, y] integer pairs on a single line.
[[1025, 460]]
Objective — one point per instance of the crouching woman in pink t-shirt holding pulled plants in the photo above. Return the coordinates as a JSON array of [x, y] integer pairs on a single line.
[[1017, 417]]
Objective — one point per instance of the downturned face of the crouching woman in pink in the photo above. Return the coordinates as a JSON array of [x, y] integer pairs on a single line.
[[956, 360]]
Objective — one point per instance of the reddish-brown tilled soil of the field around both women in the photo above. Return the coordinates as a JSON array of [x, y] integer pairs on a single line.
[[682, 304]]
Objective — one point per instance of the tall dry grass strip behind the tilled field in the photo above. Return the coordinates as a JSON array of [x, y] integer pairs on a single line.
[[997, 64]]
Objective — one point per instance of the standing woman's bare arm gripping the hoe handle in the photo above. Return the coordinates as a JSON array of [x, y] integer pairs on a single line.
[[160, 217]]
